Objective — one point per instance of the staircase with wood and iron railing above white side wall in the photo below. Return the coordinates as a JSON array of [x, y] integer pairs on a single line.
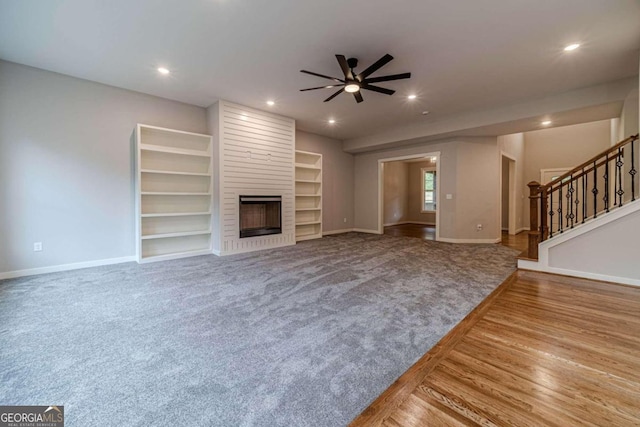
[[586, 222]]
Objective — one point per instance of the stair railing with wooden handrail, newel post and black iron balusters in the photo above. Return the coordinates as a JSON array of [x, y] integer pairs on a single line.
[[602, 183]]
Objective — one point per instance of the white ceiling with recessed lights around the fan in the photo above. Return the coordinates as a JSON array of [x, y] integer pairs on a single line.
[[463, 55]]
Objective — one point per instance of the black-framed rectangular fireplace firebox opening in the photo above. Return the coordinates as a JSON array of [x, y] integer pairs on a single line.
[[260, 215]]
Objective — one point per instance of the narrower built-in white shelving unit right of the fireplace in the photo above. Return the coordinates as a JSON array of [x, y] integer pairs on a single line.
[[308, 195]]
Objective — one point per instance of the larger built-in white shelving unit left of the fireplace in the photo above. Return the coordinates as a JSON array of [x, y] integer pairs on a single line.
[[173, 193]]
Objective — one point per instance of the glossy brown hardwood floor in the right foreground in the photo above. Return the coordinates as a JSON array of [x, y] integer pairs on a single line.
[[540, 350]]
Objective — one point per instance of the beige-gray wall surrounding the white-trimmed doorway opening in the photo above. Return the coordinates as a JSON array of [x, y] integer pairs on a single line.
[[469, 171]]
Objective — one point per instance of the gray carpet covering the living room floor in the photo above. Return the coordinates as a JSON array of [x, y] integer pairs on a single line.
[[306, 335]]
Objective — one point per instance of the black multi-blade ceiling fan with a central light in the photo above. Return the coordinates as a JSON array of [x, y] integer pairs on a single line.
[[352, 82]]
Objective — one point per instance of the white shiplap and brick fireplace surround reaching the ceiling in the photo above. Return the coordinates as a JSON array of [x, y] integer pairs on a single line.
[[253, 154]]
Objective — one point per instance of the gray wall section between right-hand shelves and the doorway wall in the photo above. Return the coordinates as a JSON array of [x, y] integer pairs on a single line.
[[337, 179]]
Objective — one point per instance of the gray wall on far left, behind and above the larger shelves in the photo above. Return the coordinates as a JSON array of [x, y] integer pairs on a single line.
[[66, 165]]
